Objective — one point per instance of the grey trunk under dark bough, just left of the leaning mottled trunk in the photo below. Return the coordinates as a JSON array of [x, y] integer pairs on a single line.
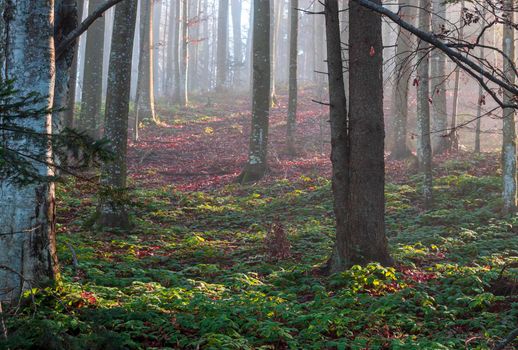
[[91, 99]]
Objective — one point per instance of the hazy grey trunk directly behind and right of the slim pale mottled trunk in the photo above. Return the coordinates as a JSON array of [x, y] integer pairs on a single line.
[[438, 83]]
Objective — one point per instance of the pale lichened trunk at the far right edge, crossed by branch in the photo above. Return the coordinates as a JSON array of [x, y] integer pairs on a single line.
[[508, 127]]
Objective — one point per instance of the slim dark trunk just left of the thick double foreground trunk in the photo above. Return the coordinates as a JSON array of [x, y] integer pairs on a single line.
[[293, 89]]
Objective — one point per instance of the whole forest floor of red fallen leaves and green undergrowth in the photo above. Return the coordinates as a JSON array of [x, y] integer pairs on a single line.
[[207, 265]]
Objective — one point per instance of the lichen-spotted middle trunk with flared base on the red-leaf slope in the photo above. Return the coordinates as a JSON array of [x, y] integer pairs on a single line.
[[257, 154]]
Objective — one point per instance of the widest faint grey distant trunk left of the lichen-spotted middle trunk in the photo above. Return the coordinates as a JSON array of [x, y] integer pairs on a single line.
[[222, 53]]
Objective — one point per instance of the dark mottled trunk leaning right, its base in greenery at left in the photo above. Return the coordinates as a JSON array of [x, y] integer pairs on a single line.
[[112, 207]]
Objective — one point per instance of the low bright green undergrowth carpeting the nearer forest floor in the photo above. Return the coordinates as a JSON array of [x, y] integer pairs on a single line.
[[194, 274]]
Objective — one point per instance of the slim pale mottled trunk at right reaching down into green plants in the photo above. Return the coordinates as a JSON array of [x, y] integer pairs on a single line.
[[424, 147]]
